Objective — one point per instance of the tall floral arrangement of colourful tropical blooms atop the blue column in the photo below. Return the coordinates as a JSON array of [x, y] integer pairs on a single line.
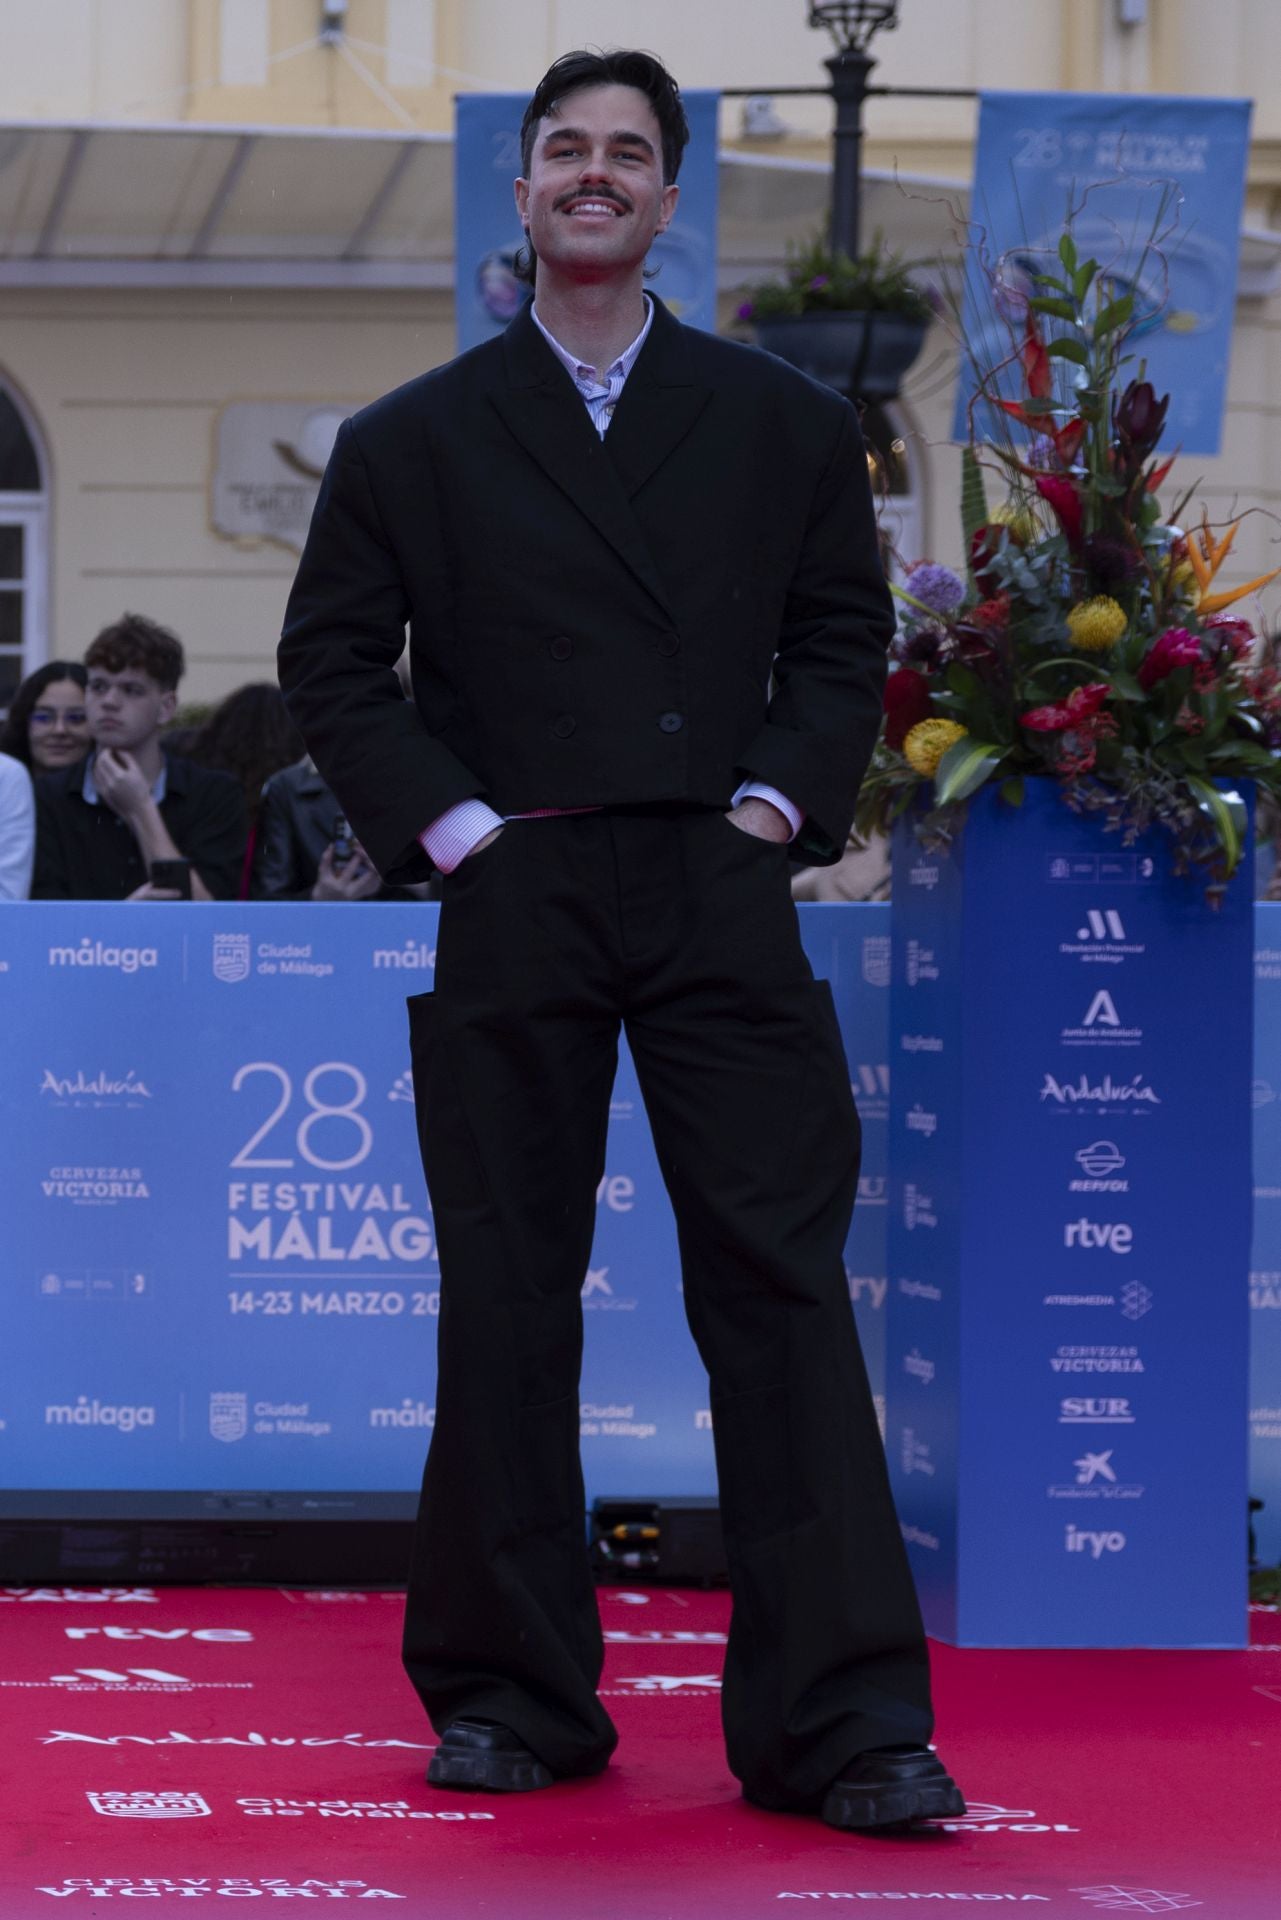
[[1090, 640]]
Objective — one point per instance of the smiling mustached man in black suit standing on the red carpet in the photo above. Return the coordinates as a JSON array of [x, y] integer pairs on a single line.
[[648, 638]]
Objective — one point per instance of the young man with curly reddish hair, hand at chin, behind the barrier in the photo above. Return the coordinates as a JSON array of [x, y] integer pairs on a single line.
[[112, 827]]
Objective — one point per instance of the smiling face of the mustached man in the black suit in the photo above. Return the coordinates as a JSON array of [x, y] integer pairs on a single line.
[[596, 201]]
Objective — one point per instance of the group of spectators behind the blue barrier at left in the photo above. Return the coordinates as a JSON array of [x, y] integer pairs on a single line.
[[105, 798]]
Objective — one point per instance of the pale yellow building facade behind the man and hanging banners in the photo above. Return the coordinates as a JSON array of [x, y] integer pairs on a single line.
[[224, 224]]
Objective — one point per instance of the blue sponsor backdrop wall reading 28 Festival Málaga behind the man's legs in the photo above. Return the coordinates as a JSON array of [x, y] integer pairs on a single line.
[[220, 1262]]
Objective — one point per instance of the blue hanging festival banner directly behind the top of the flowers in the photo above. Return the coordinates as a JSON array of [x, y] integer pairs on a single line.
[[1128, 170]]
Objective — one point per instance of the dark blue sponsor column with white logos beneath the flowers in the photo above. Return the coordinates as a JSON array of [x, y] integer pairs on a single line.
[[1069, 1236]]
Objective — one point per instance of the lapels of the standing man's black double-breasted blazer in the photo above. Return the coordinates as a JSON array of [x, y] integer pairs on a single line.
[[546, 416]]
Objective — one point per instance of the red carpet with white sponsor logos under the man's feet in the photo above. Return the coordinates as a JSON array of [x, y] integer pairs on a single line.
[[149, 1762]]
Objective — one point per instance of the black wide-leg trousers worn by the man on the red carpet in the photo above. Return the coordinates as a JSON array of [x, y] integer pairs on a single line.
[[679, 928]]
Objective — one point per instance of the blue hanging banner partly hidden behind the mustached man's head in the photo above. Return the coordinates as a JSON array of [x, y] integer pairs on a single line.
[[487, 233]]
